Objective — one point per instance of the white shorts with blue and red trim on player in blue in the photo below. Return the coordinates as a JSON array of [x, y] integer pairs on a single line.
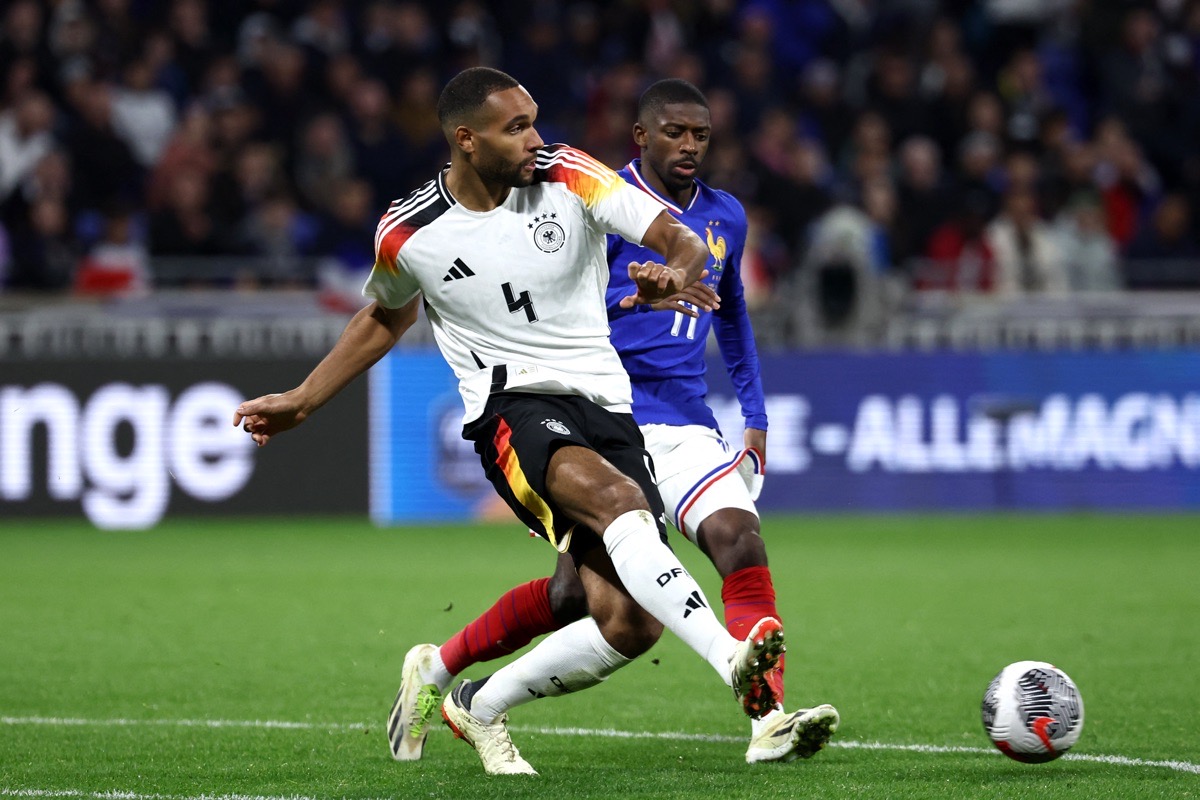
[[698, 474]]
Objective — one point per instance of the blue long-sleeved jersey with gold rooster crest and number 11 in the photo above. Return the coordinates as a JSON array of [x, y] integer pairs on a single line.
[[664, 352]]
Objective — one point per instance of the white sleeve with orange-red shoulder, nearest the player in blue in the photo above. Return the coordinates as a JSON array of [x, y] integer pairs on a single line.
[[616, 207]]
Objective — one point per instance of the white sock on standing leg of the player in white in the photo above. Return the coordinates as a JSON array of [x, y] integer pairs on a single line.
[[568, 660]]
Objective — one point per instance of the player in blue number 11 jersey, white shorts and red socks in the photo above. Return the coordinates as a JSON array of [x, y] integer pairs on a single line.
[[707, 485]]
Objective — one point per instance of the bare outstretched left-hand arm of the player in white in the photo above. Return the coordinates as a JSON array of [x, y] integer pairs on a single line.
[[369, 336]]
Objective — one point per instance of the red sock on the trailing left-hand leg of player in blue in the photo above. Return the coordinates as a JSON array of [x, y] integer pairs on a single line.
[[517, 618]]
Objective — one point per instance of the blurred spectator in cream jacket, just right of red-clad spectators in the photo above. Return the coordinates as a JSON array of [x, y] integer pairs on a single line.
[[1027, 252]]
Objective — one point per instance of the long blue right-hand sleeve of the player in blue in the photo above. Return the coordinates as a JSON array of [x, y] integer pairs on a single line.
[[735, 336]]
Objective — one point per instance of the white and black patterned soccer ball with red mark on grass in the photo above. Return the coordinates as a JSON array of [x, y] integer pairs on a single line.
[[1033, 712]]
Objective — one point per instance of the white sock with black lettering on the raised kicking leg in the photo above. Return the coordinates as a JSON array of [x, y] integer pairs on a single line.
[[656, 579]]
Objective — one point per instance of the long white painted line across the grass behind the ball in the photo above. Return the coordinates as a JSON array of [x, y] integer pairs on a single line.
[[604, 733]]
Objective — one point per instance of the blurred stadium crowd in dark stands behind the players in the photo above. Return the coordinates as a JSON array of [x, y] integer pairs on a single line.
[[995, 147]]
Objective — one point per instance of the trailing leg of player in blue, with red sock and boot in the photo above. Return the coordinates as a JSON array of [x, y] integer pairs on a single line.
[[520, 616]]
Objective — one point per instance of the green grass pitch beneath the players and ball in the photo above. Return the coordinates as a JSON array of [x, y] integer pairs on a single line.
[[259, 659]]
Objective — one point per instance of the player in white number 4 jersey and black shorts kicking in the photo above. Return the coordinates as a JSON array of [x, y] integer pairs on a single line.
[[507, 249]]
